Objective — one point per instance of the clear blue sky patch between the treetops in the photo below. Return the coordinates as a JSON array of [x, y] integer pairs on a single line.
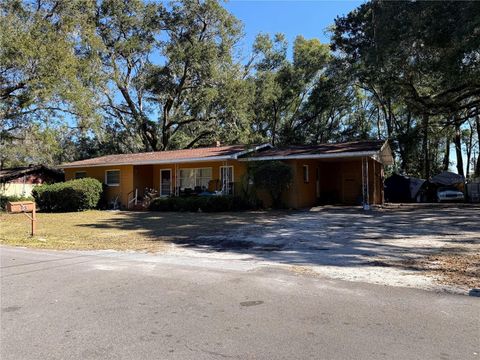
[[307, 18]]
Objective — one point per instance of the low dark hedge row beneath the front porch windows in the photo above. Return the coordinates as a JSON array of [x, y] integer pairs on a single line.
[[201, 203]]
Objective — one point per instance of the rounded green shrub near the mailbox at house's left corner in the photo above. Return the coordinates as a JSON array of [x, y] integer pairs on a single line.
[[73, 195]]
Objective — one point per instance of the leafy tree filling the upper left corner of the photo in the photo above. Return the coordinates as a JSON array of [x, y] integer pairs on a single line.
[[42, 77]]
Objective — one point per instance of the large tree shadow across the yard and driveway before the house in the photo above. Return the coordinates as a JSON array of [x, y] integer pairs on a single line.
[[346, 237]]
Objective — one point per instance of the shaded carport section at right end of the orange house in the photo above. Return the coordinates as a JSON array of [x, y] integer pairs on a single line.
[[340, 174]]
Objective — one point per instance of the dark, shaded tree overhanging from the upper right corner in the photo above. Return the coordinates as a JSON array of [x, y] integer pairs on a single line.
[[421, 52]]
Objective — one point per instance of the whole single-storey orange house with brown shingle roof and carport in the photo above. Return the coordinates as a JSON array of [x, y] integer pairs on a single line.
[[343, 173]]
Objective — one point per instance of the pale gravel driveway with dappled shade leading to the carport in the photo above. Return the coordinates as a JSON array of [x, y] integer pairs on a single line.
[[409, 246]]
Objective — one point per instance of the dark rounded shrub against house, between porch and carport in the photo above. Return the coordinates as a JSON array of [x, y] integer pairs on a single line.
[[273, 176]]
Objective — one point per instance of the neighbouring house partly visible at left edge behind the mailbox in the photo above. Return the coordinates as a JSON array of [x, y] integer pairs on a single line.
[[21, 180]]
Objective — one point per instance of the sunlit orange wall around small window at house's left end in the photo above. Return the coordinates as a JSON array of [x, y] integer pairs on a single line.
[[122, 190]]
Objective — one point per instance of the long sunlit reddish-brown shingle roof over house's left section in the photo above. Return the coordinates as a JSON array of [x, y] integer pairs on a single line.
[[199, 154]]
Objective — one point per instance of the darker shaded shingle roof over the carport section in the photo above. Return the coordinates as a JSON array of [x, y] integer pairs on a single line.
[[338, 148]]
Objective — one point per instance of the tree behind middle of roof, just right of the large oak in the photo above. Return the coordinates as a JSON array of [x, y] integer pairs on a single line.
[[283, 87]]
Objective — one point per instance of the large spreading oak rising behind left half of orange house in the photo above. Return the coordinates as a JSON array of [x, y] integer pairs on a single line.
[[171, 72]]
